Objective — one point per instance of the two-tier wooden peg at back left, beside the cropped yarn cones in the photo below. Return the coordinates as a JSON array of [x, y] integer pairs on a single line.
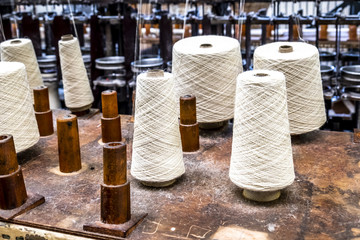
[[43, 113]]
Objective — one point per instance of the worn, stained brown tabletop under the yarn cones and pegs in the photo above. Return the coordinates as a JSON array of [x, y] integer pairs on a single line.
[[322, 203]]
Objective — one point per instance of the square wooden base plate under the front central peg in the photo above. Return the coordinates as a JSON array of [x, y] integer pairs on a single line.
[[119, 230]]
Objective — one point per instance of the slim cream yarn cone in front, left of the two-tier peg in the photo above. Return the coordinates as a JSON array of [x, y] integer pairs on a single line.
[[157, 152]]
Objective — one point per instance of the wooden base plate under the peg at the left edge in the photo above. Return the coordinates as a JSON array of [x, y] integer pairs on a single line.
[[32, 201]]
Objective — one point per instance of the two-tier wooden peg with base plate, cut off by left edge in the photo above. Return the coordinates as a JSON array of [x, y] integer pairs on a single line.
[[14, 199]]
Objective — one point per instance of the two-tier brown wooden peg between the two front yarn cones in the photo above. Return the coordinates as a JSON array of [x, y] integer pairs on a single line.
[[189, 127]]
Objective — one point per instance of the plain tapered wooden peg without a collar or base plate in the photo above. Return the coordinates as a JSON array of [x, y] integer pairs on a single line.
[[68, 143]]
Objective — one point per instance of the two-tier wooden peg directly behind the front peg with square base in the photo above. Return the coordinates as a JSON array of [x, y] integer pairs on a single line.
[[110, 121]]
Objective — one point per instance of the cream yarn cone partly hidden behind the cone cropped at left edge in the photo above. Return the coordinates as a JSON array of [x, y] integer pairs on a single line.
[[22, 50]]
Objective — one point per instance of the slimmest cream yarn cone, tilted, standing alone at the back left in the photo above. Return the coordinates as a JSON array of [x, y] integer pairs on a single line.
[[77, 91]]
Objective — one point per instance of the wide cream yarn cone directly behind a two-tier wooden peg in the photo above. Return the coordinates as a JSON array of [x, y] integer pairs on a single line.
[[207, 67]]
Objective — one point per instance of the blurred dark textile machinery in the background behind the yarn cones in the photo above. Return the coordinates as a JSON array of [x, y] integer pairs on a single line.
[[120, 39]]
